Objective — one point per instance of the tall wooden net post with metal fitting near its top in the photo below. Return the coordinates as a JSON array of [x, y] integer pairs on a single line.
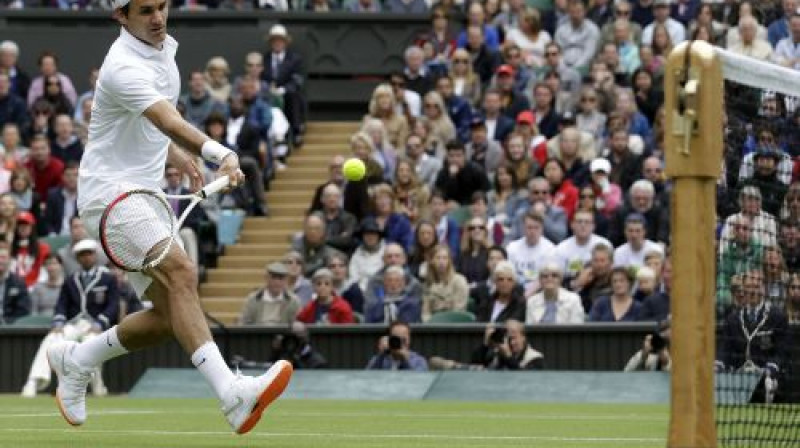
[[693, 150]]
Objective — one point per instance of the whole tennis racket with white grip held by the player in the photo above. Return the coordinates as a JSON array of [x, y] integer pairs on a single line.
[[138, 228]]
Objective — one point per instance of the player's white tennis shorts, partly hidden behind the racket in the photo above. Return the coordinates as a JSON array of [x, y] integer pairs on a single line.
[[145, 230]]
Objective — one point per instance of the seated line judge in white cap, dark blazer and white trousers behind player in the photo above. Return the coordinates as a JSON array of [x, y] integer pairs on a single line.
[[88, 305]]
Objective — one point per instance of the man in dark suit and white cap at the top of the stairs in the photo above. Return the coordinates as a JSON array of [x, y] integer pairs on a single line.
[[283, 71]]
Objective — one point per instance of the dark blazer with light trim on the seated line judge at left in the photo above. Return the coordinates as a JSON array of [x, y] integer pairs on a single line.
[[100, 303]]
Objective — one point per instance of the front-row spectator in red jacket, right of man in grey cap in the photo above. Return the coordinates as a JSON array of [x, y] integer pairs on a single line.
[[327, 307]]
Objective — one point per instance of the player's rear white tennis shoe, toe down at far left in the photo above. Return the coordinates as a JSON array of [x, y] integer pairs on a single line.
[[73, 380]]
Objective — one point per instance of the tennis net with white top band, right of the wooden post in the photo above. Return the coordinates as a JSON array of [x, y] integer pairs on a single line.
[[758, 264]]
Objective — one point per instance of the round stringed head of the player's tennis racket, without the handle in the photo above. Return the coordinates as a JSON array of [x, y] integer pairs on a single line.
[[137, 230]]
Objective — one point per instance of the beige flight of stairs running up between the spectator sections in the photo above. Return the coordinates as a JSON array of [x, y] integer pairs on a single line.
[[263, 240]]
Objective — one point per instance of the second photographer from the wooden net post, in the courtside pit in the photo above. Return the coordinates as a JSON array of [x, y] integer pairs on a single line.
[[507, 349]]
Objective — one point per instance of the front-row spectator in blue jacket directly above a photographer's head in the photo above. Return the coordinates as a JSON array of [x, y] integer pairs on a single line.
[[397, 300]]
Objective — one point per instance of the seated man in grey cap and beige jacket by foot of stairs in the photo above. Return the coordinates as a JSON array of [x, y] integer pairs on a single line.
[[273, 303]]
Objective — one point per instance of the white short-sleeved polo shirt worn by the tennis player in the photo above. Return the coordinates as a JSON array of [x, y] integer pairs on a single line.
[[125, 149]]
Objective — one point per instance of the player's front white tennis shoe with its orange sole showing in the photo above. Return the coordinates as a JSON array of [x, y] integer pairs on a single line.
[[247, 397]]
